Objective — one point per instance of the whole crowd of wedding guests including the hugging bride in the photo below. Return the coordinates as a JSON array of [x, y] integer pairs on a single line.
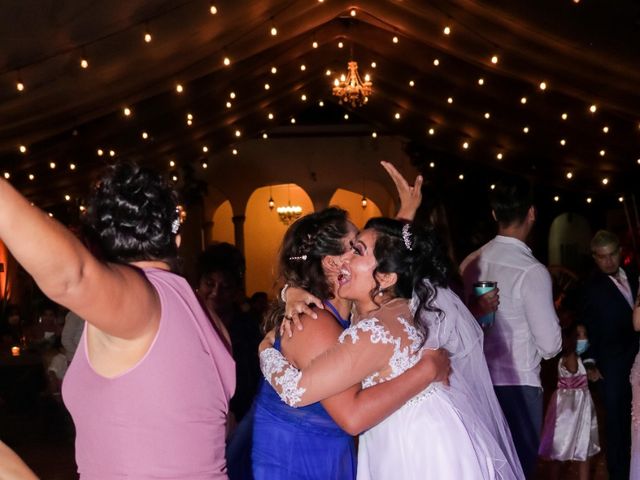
[[372, 336]]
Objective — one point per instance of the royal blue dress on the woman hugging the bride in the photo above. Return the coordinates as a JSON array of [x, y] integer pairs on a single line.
[[299, 443]]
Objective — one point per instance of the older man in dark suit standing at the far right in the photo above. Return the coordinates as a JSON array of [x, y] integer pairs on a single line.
[[607, 311]]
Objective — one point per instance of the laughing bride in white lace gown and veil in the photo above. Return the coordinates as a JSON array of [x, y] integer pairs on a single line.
[[444, 432]]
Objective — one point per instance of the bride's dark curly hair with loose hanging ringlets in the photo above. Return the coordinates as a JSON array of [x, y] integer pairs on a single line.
[[421, 270]]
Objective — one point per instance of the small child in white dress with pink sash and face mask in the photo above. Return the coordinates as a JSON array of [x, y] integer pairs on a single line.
[[570, 431]]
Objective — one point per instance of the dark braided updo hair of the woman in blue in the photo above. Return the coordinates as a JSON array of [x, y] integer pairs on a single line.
[[313, 237]]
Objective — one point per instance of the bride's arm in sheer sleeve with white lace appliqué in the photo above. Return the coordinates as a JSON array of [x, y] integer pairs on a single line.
[[342, 366]]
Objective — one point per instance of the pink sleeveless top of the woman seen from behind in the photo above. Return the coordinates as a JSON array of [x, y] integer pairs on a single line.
[[165, 417]]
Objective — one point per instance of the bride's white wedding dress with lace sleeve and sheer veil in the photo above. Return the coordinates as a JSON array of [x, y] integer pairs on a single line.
[[455, 432]]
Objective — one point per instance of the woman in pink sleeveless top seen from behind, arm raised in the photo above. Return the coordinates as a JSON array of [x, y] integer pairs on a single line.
[[149, 385]]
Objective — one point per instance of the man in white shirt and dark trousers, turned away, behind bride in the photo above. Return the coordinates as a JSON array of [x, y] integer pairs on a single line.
[[526, 327]]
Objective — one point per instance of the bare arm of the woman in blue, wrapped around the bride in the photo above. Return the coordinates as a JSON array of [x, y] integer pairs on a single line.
[[356, 410]]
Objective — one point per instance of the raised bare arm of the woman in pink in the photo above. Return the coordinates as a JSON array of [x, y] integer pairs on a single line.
[[116, 299]]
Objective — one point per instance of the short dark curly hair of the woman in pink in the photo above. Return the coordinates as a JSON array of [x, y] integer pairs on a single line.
[[131, 212]]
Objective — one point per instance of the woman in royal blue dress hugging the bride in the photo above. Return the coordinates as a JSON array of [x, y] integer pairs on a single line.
[[315, 442]]
